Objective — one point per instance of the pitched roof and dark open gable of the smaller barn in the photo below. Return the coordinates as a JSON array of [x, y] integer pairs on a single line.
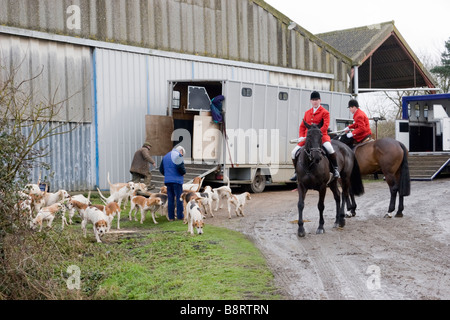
[[384, 58]]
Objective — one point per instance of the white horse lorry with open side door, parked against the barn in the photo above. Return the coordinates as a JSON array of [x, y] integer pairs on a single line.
[[251, 146]]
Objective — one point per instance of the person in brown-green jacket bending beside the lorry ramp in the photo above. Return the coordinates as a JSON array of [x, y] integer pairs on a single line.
[[140, 166]]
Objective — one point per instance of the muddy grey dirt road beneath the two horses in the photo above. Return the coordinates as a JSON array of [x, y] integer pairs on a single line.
[[371, 258]]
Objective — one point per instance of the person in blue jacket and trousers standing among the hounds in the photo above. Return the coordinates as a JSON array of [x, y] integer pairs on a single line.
[[173, 170]]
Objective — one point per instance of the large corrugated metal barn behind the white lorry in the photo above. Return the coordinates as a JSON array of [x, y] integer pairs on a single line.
[[112, 60]]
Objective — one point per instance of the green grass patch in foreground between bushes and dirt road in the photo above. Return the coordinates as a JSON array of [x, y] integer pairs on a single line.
[[165, 262]]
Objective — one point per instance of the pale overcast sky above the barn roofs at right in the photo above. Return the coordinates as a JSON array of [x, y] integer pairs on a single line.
[[424, 24]]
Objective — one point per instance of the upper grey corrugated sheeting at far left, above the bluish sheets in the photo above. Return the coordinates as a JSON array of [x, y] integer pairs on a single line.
[[62, 71]]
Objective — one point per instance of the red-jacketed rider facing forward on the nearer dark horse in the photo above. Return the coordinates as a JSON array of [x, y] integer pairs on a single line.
[[314, 116]]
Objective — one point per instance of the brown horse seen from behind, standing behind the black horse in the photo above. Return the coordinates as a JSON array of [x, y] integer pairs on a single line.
[[390, 157]]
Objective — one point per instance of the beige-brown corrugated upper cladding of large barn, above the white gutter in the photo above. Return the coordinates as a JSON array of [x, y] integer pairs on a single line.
[[248, 31]]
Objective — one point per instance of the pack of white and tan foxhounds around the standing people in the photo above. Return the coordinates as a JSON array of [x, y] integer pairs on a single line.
[[42, 206]]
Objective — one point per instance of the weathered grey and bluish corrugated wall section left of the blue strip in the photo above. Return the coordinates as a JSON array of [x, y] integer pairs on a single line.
[[63, 73]]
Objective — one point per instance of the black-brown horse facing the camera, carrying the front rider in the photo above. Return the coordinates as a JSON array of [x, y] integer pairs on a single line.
[[313, 172]]
